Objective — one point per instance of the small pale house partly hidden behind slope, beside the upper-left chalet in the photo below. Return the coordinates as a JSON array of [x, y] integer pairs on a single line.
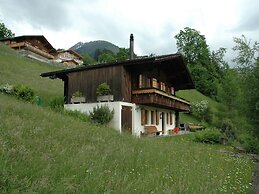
[[68, 58]]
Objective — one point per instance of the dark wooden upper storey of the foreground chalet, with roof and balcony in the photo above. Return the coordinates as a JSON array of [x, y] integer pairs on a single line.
[[148, 81]]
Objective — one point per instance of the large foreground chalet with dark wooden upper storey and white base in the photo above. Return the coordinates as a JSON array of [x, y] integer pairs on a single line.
[[143, 91]]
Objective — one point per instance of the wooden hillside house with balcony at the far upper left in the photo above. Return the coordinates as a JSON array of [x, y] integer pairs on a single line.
[[33, 46]]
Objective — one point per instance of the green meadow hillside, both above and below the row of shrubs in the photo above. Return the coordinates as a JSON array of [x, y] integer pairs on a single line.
[[42, 151]]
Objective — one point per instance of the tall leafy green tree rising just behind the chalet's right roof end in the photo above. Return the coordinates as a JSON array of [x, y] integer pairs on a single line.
[[203, 65]]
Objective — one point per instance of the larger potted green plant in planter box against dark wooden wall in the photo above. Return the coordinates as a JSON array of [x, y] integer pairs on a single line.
[[104, 93]]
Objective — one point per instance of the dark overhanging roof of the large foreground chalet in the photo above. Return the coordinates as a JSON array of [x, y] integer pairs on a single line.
[[172, 64]]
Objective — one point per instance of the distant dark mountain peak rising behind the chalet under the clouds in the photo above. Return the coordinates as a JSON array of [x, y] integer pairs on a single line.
[[91, 47]]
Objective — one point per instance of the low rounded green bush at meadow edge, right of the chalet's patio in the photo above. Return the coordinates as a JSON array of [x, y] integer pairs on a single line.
[[210, 136]]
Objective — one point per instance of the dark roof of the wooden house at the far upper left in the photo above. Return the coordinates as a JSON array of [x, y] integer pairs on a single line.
[[41, 38]]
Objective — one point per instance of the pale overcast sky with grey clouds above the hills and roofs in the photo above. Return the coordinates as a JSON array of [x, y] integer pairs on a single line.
[[154, 23]]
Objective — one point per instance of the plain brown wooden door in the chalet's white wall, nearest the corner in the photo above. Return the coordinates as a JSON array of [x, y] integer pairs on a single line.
[[126, 118]]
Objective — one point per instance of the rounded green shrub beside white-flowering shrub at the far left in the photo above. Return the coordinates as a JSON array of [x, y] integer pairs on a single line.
[[23, 92]]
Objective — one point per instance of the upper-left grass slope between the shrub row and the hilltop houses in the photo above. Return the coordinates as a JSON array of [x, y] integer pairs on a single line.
[[15, 69]]
